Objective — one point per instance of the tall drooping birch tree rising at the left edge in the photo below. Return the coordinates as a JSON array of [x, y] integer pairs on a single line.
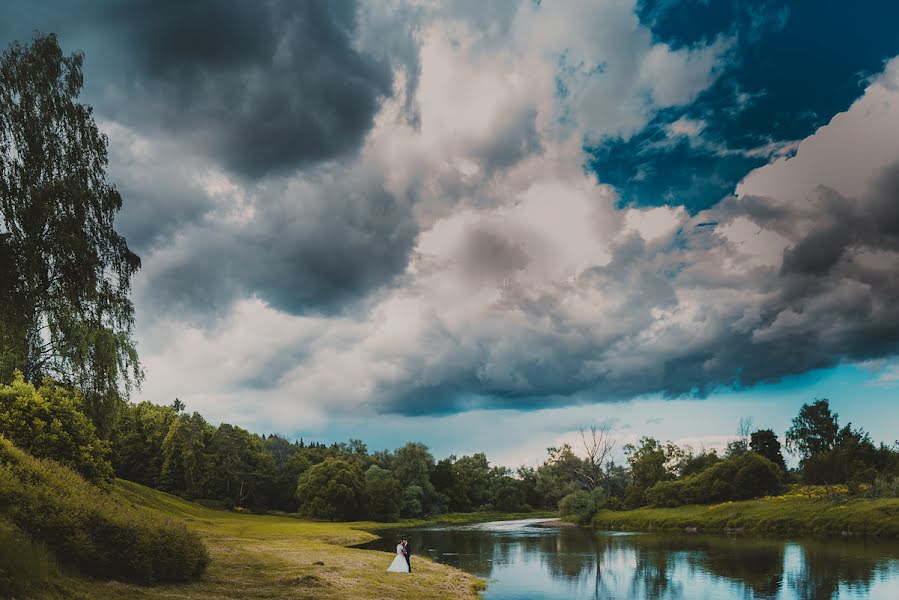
[[66, 273]]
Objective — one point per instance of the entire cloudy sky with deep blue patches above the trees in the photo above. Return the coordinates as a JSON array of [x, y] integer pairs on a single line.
[[483, 225]]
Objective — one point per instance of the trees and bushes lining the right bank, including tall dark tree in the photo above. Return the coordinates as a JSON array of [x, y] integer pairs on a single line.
[[752, 465]]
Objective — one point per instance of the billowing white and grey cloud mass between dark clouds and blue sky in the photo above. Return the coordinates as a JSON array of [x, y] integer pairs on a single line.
[[525, 283]]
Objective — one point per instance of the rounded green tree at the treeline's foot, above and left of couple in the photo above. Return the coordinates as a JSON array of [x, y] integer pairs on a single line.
[[331, 490]]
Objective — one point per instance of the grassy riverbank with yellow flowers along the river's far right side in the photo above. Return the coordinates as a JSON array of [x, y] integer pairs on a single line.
[[802, 511]]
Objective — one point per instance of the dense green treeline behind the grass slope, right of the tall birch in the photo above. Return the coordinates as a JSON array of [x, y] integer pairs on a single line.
[[179, 452]]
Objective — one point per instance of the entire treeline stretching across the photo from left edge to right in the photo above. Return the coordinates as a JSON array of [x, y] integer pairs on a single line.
[[167, 448]]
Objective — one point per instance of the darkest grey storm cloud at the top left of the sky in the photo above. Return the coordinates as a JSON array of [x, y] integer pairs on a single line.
[[262, 87]]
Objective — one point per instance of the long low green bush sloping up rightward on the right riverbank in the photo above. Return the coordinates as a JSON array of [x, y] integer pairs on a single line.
[[748, 475]]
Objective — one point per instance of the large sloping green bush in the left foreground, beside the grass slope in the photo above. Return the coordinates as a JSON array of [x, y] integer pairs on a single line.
[[89, 529]]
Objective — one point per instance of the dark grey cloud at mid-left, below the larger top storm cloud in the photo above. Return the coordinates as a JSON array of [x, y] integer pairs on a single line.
[[310, 247]]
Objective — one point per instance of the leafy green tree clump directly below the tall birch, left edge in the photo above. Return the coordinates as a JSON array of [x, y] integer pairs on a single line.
[[48, 423]]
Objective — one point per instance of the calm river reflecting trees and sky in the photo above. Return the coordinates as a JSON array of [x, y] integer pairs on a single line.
[[522, 561]]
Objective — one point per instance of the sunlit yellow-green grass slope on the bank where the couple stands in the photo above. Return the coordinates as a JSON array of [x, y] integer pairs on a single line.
[[261, 556]]
